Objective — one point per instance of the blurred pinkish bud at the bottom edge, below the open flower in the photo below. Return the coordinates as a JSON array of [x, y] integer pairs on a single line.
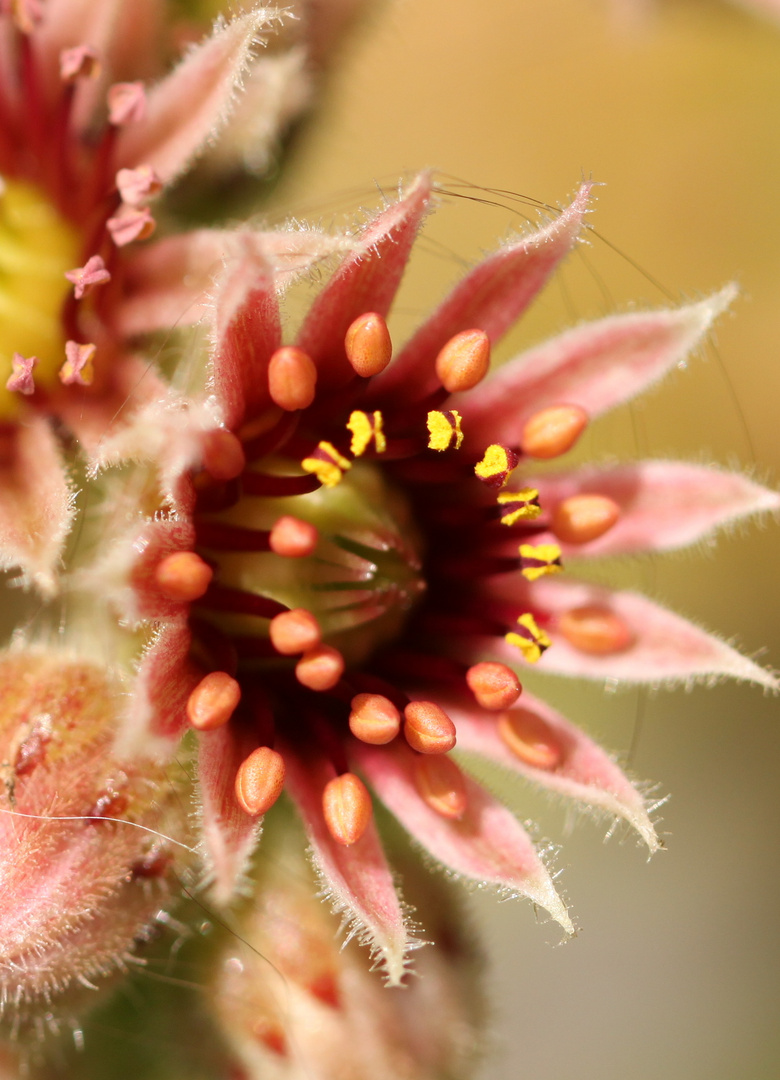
[[295, 1006]]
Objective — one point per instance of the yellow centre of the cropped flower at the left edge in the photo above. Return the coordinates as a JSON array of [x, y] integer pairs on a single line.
[[37, 247]]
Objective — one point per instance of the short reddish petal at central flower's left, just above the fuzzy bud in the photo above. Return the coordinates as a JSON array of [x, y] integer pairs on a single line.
[[156, 715]]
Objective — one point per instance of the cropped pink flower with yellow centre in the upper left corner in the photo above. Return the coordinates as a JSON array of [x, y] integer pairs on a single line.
[[86, 153]]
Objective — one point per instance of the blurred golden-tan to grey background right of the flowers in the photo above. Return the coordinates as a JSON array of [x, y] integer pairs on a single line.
[[676, 110]]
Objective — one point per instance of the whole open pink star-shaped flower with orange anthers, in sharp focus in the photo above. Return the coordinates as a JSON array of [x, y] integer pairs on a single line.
[[346, 566]]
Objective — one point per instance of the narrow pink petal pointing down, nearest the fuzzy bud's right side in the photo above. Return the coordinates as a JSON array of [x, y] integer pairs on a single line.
[[230, 835]]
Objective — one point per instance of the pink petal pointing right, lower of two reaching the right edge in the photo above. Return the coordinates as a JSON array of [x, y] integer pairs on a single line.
[[667, 649]]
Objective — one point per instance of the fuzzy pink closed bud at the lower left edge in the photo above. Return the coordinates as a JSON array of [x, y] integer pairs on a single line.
[[85, 852]]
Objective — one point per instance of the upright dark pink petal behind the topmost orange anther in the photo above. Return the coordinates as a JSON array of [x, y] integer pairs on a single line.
[[367, 281]]
